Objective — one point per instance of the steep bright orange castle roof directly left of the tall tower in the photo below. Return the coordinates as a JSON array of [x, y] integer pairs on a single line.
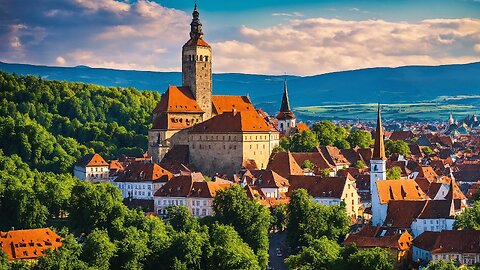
[[178, 99]]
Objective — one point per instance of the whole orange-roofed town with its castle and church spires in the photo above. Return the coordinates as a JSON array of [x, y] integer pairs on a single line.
[[403, 186]]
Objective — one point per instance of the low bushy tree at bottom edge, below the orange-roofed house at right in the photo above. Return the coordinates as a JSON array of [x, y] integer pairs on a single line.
[[371, 259]]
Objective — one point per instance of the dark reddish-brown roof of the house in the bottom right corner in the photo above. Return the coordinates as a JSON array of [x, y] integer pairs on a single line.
[[450, 241]]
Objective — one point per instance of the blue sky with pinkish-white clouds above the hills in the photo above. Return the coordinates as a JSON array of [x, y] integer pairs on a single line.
[[299, 37]]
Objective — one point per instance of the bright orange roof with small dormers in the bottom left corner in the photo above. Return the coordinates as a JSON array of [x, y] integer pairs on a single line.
[[28, 244]]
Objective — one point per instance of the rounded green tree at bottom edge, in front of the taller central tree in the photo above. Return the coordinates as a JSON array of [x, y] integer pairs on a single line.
[[229, 251]]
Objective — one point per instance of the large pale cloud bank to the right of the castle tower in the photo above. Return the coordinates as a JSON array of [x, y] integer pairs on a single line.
[[319, 45]]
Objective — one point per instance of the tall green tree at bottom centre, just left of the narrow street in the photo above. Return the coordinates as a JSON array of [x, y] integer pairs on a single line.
[[249, 218]]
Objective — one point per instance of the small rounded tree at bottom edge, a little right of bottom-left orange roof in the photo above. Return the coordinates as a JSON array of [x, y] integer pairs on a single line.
[[98, 250]]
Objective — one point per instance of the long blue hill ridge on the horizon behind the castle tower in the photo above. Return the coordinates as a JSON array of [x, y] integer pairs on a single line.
[[394, 85]]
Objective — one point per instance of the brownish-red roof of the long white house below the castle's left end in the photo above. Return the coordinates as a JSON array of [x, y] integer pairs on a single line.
[[141, 171]]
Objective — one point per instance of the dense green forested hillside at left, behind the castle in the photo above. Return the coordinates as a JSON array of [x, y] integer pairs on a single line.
[[50, 124]]
